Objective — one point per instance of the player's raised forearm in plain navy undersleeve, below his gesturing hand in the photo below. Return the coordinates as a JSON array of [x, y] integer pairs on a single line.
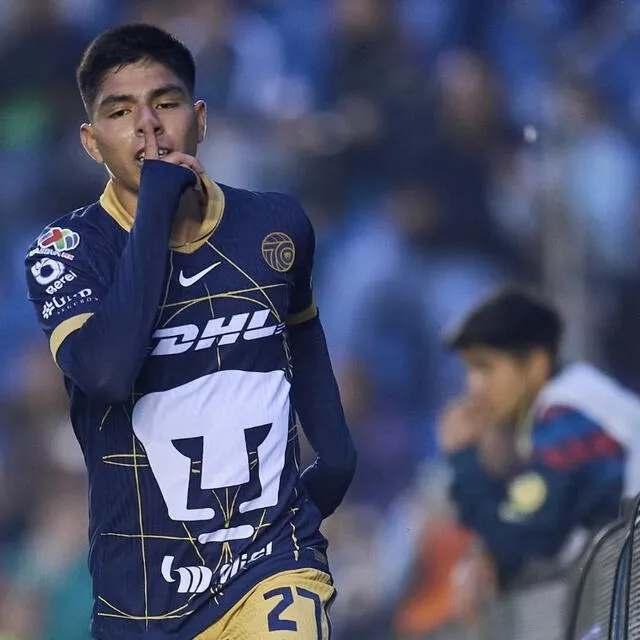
[[105, 355]]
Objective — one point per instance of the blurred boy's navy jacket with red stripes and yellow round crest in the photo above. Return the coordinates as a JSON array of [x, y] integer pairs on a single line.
[[574, 475]]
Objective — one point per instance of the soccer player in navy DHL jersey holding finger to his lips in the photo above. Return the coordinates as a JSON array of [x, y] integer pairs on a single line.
[[181, 314]]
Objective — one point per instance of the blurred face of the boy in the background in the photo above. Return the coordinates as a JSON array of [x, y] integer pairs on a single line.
[[500, 382]]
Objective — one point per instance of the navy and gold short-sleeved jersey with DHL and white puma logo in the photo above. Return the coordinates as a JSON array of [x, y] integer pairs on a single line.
[[194, 481]]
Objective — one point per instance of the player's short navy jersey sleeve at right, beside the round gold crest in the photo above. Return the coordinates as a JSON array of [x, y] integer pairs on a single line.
[[302, 307]]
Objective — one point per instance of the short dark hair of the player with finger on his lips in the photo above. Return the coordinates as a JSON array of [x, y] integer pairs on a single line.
[[129, 44]]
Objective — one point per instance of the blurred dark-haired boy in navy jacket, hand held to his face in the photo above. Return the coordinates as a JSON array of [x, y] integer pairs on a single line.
[[538, 452]]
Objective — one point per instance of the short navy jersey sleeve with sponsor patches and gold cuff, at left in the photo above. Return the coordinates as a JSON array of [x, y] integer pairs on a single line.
[[63, 285]]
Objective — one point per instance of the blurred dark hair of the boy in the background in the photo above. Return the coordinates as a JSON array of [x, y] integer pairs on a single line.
[[512, 320]]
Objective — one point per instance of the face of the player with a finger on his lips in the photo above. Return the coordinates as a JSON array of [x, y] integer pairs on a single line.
[[133, 102]]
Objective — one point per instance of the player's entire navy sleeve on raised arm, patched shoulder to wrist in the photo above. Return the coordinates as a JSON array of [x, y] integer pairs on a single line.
[[100, 335]]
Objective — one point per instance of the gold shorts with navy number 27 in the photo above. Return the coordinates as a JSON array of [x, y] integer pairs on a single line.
[[249, 618]]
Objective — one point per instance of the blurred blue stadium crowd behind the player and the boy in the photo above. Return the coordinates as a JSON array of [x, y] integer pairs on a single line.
[[439, 146]]
